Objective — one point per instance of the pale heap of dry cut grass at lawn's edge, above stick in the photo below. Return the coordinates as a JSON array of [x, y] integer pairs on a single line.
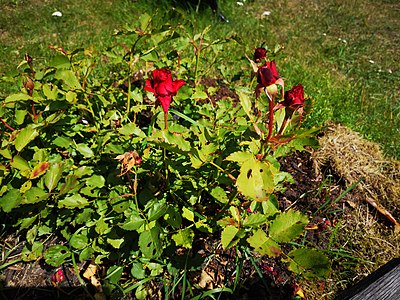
[[353, 159]]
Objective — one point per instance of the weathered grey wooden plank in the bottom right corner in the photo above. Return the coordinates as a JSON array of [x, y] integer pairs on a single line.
[[383, 284]]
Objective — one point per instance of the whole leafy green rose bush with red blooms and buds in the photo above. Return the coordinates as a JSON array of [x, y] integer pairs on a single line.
[[130, 167]]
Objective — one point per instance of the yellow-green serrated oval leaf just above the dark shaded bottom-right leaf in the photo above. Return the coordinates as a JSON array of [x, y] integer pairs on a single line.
[[287, 226]]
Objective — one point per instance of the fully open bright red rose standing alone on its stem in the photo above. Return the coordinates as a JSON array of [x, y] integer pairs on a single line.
[[163, 87]]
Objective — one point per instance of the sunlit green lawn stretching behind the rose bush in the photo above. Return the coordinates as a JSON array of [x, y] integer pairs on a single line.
[[345, 53]]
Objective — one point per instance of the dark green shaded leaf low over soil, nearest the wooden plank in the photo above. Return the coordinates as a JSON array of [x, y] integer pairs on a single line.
[[308, 262]]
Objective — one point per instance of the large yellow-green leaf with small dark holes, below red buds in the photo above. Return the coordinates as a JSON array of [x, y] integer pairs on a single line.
[[255, 180]]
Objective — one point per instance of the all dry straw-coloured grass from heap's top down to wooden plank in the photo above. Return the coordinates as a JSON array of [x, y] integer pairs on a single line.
[[369, 238]]
